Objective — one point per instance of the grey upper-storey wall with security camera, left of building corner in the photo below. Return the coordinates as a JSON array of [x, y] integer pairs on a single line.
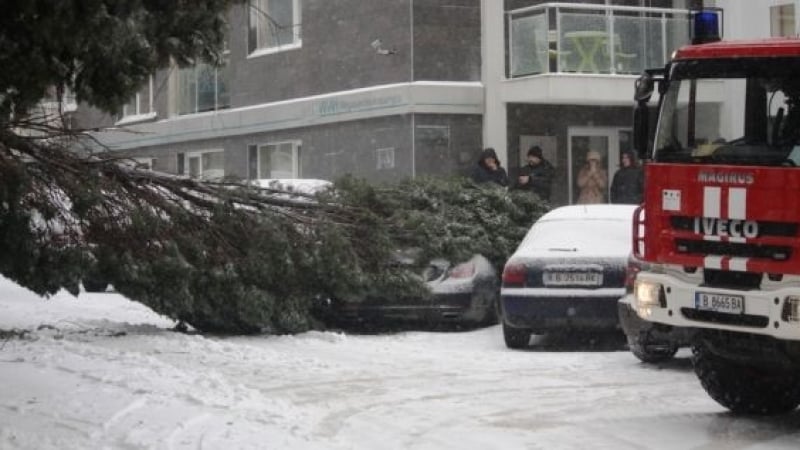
[[336, 54]]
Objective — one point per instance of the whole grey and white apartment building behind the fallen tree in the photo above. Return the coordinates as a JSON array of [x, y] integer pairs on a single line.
[[387, 89]]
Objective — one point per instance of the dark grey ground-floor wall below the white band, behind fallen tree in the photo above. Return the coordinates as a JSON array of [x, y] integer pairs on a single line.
[[333, 150]]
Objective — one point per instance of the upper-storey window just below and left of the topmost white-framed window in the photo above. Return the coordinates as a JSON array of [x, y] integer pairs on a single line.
[[203, 87]]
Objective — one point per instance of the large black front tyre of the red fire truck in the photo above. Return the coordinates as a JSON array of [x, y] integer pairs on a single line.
[[746, 389]]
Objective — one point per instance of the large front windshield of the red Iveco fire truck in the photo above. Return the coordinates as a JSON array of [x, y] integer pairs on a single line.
[[734, 111]]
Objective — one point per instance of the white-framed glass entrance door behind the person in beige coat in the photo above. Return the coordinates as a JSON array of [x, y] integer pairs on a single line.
[[605, 143]]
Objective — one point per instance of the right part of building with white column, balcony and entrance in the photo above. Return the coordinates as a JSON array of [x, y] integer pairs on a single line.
[[565, 78]]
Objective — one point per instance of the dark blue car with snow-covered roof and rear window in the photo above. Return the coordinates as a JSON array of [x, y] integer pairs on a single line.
[[568, 272]]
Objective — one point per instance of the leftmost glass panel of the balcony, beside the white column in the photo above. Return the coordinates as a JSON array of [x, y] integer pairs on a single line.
[[529, 45]]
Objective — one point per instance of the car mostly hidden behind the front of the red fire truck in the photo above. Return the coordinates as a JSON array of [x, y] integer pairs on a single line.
[[649, 341]]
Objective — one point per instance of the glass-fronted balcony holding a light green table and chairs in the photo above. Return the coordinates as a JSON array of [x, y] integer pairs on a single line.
[[568, 38]]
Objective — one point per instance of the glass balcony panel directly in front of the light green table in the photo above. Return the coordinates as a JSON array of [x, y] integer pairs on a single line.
[[581, 41]]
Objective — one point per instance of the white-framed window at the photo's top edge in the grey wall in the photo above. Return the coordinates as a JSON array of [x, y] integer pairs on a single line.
[[273, 25]]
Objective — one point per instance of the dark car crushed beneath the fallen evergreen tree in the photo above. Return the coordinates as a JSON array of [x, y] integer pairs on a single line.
[[465, 294]]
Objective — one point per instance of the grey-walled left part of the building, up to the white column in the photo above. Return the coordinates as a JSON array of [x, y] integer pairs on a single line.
[[384, 89]]
